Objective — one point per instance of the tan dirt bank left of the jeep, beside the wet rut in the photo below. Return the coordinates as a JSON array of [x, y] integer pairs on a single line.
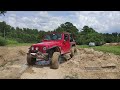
[[12, 61]]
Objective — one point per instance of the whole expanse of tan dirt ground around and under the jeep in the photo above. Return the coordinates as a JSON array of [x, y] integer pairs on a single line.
[[86, 64]]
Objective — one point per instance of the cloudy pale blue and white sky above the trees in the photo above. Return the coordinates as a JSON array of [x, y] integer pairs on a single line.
[[101, 21]]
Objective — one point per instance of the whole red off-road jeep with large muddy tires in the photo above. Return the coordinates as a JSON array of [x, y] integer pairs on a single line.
[[52, 47]]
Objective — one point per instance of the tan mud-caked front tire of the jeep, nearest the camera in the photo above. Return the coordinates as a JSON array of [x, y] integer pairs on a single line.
[[55, 60]]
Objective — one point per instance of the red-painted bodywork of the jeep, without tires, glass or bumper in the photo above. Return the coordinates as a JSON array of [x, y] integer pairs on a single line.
[[62, 44]]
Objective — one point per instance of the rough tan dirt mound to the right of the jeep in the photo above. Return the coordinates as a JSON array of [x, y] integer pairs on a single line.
[[89, 62]]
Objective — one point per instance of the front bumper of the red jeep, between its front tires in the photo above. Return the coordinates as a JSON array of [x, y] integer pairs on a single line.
[[39, 55]]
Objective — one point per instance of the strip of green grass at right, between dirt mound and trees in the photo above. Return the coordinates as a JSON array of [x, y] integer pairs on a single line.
[[110, 49]]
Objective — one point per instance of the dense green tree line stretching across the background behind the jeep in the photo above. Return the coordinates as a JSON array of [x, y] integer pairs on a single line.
[[10, 34]]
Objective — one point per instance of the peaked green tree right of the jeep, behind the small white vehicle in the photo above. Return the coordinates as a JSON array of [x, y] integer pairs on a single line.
[[88, 35]]
